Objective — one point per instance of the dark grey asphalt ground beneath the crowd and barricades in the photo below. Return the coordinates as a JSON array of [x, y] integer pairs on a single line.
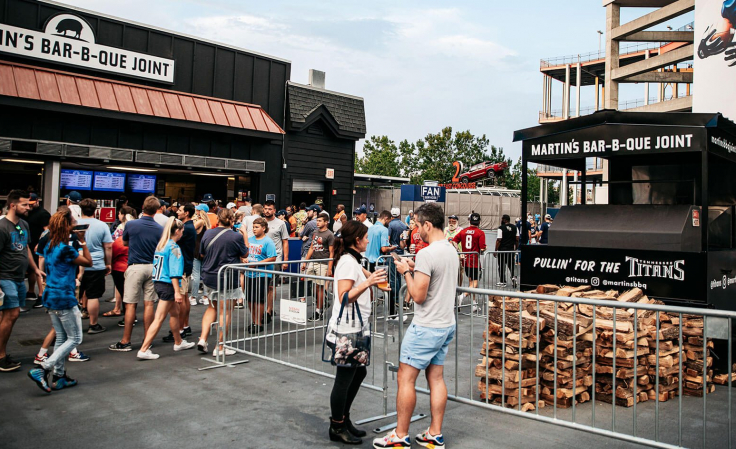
[[123, 402]]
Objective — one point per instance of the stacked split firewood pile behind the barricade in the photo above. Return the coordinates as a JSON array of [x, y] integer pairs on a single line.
[[639, 375]]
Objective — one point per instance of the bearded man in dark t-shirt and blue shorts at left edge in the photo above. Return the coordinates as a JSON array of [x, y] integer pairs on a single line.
[[15, 258]]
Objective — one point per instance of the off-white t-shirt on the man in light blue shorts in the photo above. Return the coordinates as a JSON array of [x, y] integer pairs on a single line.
[[439, 261]]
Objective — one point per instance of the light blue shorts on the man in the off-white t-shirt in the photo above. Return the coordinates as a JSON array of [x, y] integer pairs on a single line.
[[424, 346]]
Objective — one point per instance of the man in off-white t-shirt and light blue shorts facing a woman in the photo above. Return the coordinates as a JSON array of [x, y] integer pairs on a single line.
[[431, 282]]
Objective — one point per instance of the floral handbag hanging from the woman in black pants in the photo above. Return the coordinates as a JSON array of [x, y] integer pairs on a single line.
[[349, 347]]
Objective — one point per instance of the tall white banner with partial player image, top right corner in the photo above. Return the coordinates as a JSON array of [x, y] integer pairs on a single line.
[[714, 62]]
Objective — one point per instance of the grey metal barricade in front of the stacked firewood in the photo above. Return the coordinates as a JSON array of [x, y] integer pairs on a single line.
[[627, 370]]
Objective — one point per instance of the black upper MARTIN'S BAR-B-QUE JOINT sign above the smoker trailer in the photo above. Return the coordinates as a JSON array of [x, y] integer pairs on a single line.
[[612, 139]]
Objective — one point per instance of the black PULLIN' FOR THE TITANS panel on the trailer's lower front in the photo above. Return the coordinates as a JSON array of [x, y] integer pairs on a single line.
[[675, 275]]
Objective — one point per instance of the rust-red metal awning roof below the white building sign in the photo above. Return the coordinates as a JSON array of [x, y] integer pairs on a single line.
[[36, 83]]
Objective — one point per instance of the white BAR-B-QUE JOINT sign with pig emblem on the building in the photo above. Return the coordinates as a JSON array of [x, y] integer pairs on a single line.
[[69, 39]]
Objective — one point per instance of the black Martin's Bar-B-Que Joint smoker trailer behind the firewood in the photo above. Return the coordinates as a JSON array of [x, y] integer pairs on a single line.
[[669, 223]]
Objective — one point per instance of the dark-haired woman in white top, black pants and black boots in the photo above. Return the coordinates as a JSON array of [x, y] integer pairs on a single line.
[[352, 278]]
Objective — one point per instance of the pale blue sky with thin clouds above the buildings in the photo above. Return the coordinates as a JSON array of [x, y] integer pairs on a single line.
[[419, 65]]
